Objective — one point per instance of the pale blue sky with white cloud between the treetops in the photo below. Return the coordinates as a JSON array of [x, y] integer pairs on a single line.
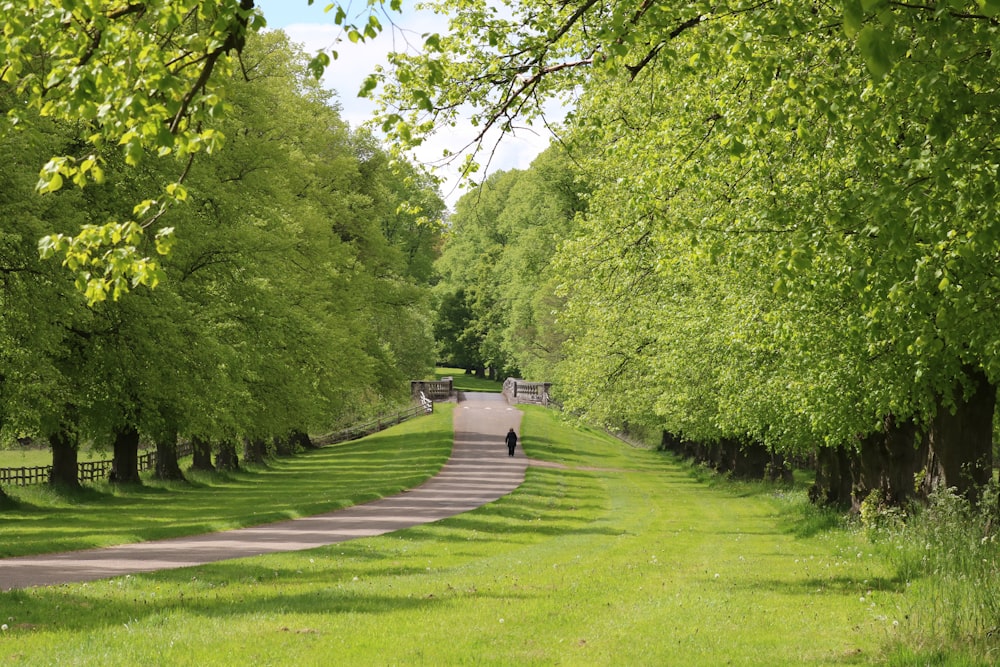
[[311, 27]]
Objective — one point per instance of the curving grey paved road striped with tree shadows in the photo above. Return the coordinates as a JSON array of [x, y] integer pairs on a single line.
[[478, 472]]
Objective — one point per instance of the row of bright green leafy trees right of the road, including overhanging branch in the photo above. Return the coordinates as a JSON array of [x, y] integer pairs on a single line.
[[768, 229]]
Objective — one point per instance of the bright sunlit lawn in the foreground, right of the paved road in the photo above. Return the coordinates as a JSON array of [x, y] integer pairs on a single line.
[[631, 561]]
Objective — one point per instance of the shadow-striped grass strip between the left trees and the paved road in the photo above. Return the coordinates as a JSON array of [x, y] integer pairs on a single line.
[[310, 483]]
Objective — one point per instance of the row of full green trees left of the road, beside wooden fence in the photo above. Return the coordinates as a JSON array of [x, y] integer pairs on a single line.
[[291, 290]]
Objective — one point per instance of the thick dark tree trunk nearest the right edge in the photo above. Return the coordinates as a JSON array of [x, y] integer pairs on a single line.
[[960, 439]]
